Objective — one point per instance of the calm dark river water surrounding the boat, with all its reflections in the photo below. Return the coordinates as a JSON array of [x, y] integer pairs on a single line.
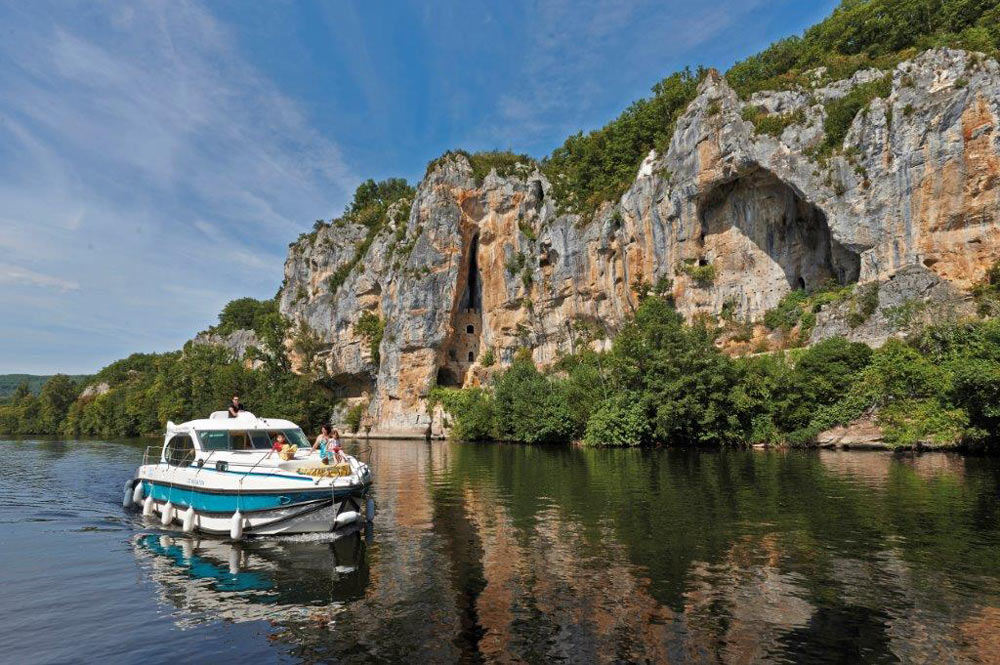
[[485, 553]]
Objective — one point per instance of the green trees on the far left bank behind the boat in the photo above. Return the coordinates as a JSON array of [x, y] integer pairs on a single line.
[[146, 390]]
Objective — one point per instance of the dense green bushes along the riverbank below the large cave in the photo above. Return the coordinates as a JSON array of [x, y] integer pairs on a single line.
[[665, 382]]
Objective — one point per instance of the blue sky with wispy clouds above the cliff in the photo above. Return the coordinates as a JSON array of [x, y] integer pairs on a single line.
[[156, 158]]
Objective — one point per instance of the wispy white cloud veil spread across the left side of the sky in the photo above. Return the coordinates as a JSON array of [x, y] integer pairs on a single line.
[[139, 149]]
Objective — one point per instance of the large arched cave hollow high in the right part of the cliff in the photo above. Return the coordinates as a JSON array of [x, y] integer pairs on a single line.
[[765, 239]]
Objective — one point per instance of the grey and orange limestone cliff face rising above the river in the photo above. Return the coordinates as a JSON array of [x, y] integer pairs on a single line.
[[733, 217]]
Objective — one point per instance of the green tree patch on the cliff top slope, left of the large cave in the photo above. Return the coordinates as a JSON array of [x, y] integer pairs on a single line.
[[589, 169]]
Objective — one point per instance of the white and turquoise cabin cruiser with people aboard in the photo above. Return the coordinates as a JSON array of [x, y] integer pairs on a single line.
[[221, 475]]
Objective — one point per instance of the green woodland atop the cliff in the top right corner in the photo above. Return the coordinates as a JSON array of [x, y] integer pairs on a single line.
[[869, 33]]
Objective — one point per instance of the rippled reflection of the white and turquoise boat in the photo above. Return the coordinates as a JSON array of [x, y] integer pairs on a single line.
[[272, 579]]
